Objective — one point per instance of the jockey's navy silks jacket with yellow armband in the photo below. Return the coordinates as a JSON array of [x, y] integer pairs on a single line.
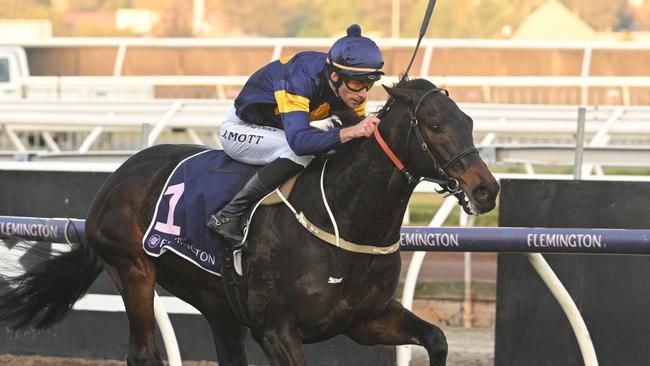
[[289, 93]]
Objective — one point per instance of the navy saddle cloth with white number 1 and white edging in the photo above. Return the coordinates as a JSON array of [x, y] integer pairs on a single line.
[[198, 186]]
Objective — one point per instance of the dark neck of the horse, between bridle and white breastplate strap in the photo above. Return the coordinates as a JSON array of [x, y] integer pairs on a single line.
[[370, 194]]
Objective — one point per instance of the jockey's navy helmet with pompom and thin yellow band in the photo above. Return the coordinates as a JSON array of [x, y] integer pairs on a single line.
[[356, 56]]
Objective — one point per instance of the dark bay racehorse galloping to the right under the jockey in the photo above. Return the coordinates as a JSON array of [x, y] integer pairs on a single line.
[[290, 300]]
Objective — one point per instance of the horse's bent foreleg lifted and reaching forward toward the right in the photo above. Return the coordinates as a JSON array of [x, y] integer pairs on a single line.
[[399, 326]]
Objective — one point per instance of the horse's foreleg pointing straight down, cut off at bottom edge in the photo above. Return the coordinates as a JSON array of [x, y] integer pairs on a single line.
[[282, 345]]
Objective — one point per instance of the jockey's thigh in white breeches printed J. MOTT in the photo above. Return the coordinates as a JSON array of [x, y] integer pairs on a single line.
[[256, 145]]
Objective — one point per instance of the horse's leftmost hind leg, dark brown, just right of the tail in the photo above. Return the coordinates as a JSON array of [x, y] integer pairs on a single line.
[[136, 284]]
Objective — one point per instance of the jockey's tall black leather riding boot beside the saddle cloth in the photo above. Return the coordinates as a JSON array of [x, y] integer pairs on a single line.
[[226, 222]]
